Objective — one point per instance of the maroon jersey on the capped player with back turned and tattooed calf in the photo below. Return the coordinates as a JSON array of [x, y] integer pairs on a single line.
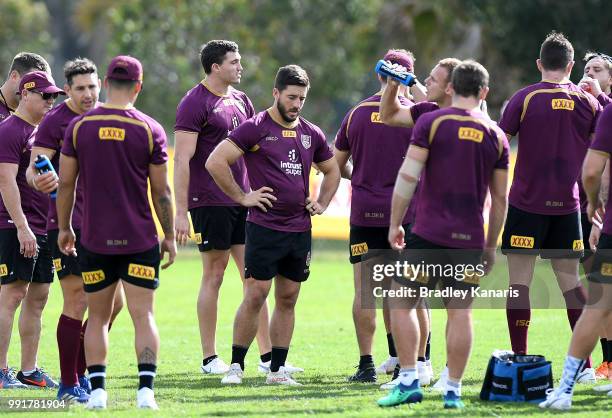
[[114, 147]]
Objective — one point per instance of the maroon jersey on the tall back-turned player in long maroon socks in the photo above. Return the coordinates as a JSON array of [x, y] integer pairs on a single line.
[[553, 122]]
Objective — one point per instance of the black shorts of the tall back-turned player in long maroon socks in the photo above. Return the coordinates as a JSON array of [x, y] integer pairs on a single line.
[[550, 236]]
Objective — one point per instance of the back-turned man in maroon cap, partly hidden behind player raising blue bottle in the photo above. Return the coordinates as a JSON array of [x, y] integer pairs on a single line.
[[372, 174]]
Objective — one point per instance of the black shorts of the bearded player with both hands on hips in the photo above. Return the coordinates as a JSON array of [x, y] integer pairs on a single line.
[[269, 252]]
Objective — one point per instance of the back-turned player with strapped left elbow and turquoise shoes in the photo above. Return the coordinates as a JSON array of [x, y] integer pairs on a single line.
[[446, 231]]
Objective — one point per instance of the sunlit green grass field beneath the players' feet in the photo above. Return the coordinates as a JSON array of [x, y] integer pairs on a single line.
[[324, 344]]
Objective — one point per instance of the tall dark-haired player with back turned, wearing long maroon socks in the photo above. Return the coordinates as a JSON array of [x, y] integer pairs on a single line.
[[554, 120]]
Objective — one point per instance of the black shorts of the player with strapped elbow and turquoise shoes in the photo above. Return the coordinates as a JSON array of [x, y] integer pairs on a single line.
[[450, 267]]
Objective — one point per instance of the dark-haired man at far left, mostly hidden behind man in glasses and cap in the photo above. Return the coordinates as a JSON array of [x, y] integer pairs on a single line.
[[23, 63]]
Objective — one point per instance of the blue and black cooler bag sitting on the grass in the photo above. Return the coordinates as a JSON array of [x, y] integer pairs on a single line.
[[516, 378]]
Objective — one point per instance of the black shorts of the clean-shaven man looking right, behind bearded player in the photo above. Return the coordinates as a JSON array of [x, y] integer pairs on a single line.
[[218, 227]]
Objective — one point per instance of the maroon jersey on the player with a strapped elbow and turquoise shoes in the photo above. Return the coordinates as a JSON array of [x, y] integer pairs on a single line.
[[464, 149]]
